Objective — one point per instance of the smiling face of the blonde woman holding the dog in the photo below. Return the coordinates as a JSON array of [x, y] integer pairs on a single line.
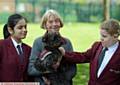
[[53, 24]]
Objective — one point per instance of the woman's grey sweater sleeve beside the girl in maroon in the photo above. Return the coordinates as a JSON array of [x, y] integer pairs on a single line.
[[36, 49]]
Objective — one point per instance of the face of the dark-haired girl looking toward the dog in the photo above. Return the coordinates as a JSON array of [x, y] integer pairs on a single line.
[[20, 30]]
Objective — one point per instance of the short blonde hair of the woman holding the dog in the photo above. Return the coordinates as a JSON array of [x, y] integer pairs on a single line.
[[47, 15]]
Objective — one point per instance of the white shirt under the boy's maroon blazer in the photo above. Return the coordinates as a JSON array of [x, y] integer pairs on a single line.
[[108, 55]]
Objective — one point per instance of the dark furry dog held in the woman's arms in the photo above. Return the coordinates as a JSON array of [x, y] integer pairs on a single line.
[[51, 55]]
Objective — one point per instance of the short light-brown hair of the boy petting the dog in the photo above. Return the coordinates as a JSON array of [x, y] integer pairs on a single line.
[[111, 26]]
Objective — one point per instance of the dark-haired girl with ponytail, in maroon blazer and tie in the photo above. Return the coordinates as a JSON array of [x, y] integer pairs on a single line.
[[14, 54]]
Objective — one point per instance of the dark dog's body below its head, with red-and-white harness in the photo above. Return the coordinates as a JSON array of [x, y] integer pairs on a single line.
[[48, 60]]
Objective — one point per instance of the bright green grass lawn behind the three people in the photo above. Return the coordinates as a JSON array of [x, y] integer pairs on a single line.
[[82, 36]]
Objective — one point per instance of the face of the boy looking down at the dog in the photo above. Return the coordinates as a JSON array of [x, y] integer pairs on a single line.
[[107, 39]]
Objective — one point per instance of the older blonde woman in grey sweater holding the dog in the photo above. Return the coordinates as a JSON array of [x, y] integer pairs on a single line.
[[51, 21]]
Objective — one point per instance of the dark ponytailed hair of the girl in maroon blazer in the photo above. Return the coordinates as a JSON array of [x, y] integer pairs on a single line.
[[12, 21]]
